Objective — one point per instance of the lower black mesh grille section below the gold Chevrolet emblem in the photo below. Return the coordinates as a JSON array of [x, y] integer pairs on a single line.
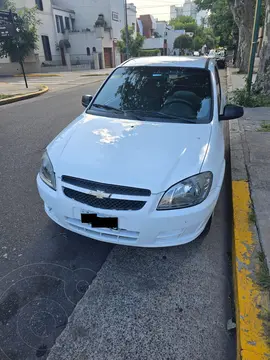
[[110, 204]]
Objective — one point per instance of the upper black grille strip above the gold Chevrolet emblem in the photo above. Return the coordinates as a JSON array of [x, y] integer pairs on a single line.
[[108, 188]]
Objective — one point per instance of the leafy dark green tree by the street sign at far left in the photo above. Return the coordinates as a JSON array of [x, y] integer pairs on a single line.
[[25, 40]]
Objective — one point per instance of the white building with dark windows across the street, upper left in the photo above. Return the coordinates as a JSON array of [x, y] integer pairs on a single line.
[[78, 32]]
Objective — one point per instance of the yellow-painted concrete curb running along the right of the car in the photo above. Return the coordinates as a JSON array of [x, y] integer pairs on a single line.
[[249, 299]]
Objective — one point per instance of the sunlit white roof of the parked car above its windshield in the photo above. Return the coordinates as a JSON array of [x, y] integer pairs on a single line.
[[183, 61]]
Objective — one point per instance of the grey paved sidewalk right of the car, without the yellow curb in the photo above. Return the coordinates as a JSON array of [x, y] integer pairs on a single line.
[[253, 131]]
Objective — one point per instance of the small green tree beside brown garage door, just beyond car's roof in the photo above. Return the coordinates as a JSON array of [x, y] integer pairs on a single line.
[[134, 44]]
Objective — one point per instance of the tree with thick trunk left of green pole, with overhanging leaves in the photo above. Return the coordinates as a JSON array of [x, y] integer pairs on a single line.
[[243, 14]]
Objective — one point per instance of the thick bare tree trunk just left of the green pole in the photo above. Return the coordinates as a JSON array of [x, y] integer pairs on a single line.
[[243, 14]]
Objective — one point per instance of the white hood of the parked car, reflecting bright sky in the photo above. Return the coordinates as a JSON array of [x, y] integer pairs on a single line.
[[144, 154]]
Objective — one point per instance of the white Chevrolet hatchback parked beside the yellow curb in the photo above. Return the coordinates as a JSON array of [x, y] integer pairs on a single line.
[[143, 165]]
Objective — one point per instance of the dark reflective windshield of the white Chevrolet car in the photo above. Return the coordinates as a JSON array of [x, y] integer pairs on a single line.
[[149, 93]]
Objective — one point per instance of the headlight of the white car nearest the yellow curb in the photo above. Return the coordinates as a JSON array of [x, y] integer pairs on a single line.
[[189, 192]]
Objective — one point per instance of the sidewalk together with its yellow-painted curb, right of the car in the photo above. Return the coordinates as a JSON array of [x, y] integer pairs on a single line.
[[250, 170]]
